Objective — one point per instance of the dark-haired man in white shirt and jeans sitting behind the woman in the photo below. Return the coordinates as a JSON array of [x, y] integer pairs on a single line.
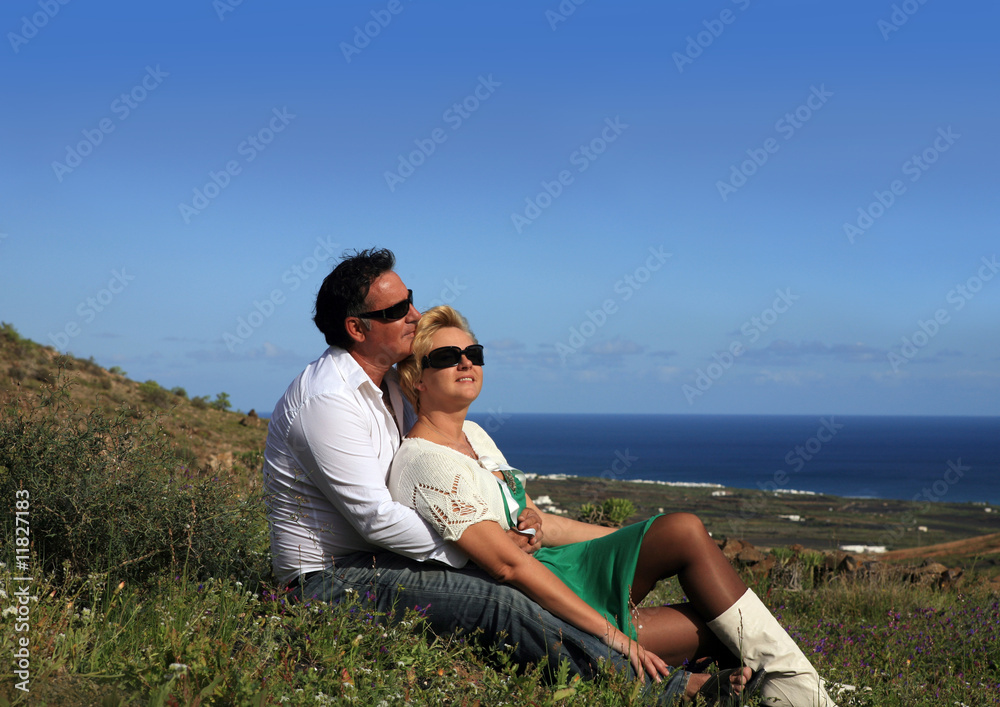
[[334, 527]]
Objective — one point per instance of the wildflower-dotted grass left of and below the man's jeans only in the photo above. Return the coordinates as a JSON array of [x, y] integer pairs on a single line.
[[217, 642]]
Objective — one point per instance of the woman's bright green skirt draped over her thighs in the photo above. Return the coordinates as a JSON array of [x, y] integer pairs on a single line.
[[600, 571]]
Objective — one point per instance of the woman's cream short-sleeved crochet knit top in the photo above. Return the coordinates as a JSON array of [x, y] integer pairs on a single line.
[[448, 489]]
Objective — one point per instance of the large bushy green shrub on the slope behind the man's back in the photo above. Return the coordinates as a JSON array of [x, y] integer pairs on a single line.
[[106, 495]]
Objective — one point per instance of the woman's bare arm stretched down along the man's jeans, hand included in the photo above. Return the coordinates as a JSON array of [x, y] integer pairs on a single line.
[[489, 547]]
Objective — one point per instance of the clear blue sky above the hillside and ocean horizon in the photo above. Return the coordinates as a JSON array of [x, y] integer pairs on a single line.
[[722, 207]]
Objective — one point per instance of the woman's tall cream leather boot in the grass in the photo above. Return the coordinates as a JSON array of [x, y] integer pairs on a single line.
[[753, 634]]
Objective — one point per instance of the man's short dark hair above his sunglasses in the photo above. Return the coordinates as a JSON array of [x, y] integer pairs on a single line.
[[345, 290]]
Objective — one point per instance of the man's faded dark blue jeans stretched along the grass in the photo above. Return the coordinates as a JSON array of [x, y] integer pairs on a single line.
[[469, 599]]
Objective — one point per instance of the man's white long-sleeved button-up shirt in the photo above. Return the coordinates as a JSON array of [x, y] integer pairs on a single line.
[[329, 445]]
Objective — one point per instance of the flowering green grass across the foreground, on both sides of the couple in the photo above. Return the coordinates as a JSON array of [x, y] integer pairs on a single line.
[[179, 641]]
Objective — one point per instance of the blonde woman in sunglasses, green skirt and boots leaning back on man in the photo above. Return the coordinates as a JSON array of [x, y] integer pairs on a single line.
[[450, 471]]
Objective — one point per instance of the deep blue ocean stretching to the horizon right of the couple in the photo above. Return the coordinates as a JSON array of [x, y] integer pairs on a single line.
[[951, 459]]
